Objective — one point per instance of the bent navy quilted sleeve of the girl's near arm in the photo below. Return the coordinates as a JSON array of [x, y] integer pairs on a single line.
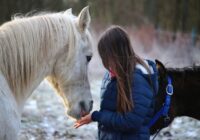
[[129, 121]]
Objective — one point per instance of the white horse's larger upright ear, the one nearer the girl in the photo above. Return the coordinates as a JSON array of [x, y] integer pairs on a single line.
[[84, 19]]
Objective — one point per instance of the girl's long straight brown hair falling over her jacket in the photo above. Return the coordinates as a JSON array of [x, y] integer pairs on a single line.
[[118, 55]]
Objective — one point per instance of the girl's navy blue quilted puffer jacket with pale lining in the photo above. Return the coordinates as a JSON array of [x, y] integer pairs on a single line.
[[131, 125]]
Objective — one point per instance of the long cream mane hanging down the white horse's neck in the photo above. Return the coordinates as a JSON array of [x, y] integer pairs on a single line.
[[28, 42]]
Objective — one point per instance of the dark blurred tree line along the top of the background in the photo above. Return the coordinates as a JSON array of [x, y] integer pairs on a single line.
[[173, 15]]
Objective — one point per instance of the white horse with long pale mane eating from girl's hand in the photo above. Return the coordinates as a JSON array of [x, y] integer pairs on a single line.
[[55, 46]]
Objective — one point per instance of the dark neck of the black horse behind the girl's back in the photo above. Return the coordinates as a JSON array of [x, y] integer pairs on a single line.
[[185, 100]]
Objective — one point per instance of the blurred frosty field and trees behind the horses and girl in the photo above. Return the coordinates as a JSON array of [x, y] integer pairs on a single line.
[[167, 30]]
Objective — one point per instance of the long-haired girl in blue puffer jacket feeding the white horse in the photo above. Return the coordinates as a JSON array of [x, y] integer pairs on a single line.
[[128, 90]]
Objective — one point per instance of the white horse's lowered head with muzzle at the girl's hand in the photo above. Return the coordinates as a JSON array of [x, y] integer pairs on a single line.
[[69, 75]]
